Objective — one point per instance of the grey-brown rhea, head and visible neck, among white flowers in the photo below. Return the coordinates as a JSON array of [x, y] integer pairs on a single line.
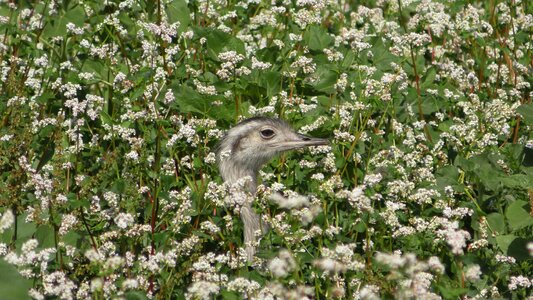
[[245, 149]]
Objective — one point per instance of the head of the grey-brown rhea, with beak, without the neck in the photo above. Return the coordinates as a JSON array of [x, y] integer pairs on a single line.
[[253, 142]]
